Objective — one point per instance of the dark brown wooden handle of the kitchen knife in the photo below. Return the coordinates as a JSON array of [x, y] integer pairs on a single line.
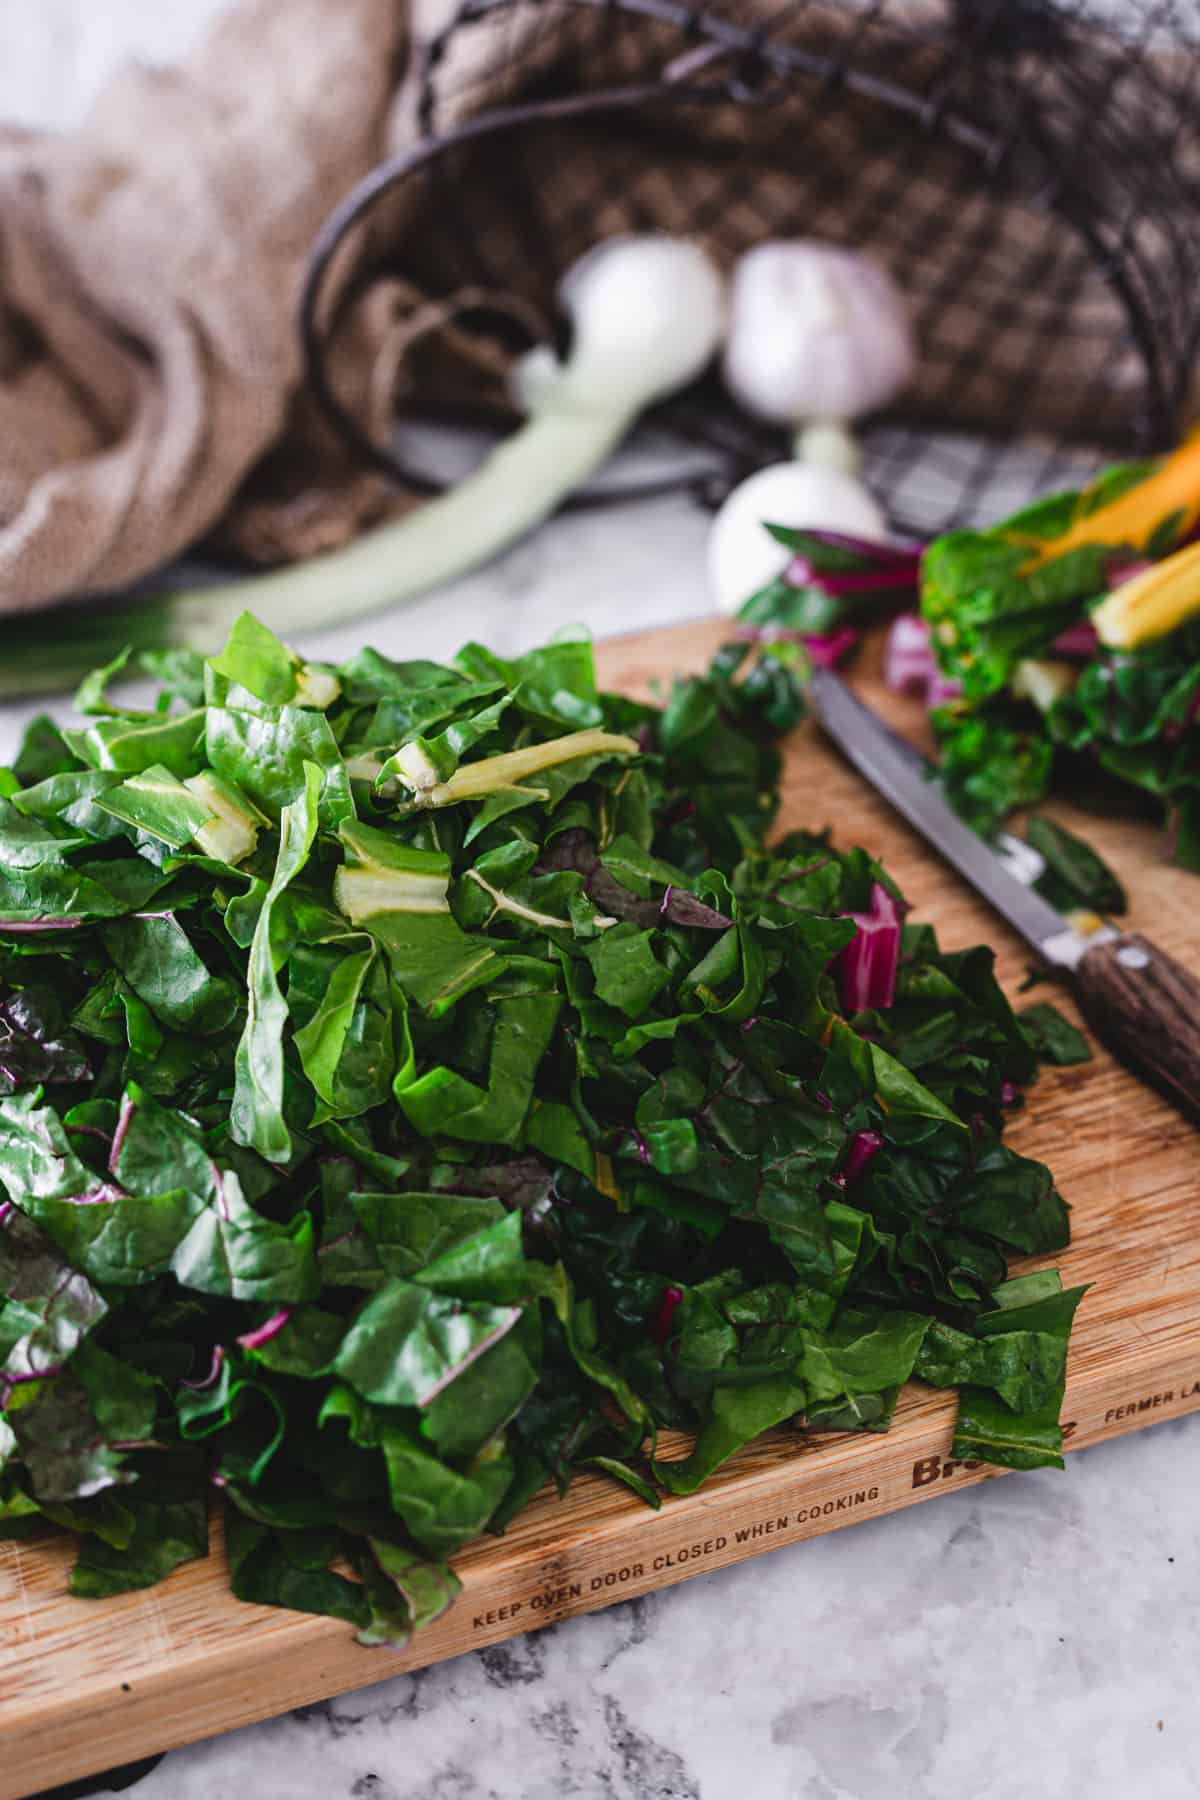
[[1147, 1009]]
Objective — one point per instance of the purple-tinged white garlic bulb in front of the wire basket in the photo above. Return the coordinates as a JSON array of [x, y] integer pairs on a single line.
[[816, 334]]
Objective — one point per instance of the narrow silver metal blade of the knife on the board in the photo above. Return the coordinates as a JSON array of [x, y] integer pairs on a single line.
[[906, 778]]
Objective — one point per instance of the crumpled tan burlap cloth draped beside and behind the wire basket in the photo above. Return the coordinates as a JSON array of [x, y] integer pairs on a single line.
[[150, 265]]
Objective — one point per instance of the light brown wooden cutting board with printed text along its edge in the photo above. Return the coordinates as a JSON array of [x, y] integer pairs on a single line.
[[85, 1686]]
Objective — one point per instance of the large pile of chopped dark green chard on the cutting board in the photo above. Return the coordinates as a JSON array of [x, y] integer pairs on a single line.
[[492, 1111]]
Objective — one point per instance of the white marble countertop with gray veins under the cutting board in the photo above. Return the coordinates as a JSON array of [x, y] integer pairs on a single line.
[[1035, 1639]]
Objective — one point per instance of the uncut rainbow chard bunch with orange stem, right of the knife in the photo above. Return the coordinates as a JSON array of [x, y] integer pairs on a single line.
[[1102, 721]]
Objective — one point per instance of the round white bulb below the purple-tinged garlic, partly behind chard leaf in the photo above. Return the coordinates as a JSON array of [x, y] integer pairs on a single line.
[[742, 553]]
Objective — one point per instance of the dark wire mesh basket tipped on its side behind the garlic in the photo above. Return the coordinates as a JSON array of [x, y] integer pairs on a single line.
[[1028, 172]]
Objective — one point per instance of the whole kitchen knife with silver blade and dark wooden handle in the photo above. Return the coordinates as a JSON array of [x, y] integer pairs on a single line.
[[1138, 1000]]
